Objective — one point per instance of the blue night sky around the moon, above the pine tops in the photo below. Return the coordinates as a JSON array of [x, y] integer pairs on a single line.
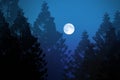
[[84, 14]]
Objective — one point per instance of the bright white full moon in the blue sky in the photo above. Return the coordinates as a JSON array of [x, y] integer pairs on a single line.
[[69, 28]]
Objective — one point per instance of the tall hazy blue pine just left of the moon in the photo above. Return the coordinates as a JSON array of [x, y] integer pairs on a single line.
[[45, 30]]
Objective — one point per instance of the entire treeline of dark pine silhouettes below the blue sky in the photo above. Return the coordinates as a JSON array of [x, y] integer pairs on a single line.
[[39, 52]]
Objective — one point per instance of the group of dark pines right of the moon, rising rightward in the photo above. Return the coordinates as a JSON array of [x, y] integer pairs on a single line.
[[100, 59]]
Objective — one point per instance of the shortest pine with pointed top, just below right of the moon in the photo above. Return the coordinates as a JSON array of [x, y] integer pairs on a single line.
[[81, 55]]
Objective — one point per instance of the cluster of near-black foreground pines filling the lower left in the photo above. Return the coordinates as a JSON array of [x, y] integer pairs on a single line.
[[20, 59]]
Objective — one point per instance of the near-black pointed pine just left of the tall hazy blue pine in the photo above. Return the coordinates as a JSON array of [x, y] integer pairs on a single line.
[[32, 60]]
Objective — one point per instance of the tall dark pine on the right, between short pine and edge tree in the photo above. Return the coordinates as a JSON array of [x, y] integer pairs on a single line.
[[106, 40]]
